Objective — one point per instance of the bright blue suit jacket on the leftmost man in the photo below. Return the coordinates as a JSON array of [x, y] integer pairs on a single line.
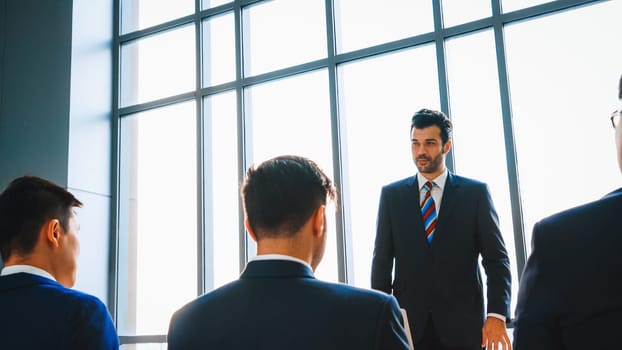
[[39, 313]]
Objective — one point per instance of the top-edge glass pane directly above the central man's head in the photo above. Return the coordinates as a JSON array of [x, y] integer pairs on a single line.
[[282, 34]]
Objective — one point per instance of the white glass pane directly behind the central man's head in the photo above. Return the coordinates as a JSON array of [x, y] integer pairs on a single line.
[[292, 116]]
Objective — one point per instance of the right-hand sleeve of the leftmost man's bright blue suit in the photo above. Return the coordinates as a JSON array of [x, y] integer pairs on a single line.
[[92, 326]]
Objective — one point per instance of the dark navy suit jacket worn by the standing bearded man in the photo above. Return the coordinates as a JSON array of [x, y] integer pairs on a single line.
[[442, 279]]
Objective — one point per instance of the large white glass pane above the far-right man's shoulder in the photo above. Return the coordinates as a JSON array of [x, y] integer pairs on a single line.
[[564, 87]]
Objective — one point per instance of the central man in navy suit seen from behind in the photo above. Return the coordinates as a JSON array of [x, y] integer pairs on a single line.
[[277, 303]]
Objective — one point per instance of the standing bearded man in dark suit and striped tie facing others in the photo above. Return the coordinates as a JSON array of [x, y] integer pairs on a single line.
[[434, 226]]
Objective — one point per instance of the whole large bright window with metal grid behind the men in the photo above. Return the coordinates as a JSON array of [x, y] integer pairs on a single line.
[[207, 88]]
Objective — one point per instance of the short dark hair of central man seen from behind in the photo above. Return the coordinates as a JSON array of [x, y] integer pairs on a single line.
[[282, 193]]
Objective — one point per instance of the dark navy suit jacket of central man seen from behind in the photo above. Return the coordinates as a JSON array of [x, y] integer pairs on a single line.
[[278, 304]]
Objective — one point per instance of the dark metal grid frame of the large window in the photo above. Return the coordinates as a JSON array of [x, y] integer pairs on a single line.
[[497, 21]]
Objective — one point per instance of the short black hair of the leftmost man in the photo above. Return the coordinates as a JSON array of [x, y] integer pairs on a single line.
[[25, 205]]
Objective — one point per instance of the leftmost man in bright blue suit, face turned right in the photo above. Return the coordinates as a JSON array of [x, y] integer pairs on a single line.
[[39, 246]]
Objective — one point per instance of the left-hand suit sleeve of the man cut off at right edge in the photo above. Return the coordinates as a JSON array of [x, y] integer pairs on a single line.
[[535, 310]]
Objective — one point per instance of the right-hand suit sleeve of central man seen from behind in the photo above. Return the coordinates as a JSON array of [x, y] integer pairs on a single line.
[[391, 334]]
